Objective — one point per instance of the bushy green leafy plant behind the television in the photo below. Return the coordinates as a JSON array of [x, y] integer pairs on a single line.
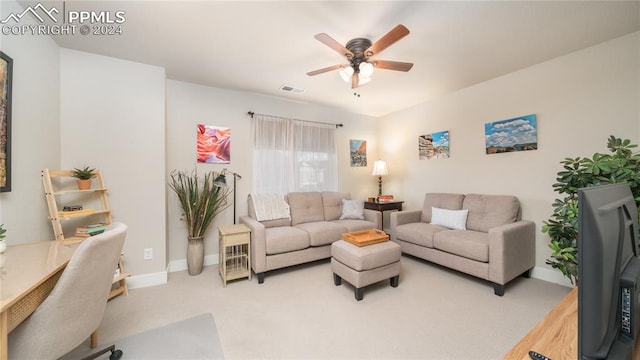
[[621, 166]]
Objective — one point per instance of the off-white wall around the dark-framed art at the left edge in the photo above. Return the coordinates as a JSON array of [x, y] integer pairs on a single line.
[[35, 133]]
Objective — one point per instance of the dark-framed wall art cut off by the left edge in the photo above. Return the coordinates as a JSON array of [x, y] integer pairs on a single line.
[[6, 74]]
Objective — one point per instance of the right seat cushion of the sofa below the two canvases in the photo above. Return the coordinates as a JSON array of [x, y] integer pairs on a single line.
[[472, 245]]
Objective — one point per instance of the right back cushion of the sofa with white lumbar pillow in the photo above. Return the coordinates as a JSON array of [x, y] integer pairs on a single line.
[[489, 211]]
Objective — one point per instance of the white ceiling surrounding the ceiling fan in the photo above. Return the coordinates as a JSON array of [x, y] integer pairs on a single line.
[[259, 46]]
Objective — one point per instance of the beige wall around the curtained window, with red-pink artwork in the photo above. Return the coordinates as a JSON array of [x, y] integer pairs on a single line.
[[190, 104]]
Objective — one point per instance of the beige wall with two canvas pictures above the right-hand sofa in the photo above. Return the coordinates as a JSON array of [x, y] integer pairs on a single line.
[[579, 99]]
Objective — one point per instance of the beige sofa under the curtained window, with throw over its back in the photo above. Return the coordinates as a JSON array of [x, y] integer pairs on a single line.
[[314, 224]]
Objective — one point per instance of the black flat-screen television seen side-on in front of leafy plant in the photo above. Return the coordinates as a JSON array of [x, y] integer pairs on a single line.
[[608, 273]]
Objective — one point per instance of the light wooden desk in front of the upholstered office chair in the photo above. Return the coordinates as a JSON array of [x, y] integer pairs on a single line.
[[28, 273]]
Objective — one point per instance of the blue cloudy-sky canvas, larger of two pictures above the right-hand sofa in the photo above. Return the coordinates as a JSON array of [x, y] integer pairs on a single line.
[[514, 132]]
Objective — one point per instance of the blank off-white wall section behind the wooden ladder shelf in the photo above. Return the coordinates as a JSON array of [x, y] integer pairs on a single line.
[[112, 115]]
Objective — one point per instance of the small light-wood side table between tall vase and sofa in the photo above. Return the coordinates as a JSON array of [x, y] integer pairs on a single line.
[[234, 252]]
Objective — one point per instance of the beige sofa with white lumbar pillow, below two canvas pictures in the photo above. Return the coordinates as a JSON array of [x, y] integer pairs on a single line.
[[492, 244]]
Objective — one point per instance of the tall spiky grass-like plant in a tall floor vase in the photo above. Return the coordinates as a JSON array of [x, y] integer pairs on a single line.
[[201, 200]]
